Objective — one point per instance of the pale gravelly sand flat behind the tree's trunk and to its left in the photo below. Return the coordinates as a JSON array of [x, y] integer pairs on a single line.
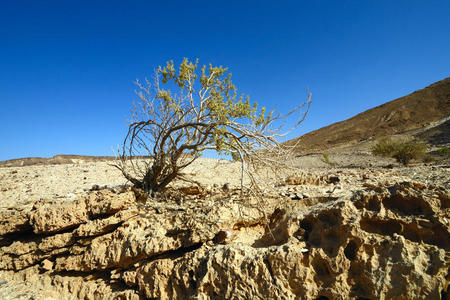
[[22, 185]]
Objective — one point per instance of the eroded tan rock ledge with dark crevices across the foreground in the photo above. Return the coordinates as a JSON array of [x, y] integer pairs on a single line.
[[377, 242]]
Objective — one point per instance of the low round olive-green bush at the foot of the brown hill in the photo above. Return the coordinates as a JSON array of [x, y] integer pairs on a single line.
[[402, 151]]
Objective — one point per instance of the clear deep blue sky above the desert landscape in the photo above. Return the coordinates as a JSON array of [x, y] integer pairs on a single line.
[[67, 67]]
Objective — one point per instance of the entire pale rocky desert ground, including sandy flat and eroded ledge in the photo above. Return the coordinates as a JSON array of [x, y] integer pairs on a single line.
[[359, 228]]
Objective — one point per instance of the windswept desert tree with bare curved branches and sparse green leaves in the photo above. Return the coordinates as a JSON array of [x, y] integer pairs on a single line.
[[187, 110]]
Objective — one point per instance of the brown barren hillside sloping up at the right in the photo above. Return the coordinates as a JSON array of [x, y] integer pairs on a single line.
[[411, 112]]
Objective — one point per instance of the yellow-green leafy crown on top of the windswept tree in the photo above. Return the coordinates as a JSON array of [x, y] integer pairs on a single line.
[[218, 103]]
